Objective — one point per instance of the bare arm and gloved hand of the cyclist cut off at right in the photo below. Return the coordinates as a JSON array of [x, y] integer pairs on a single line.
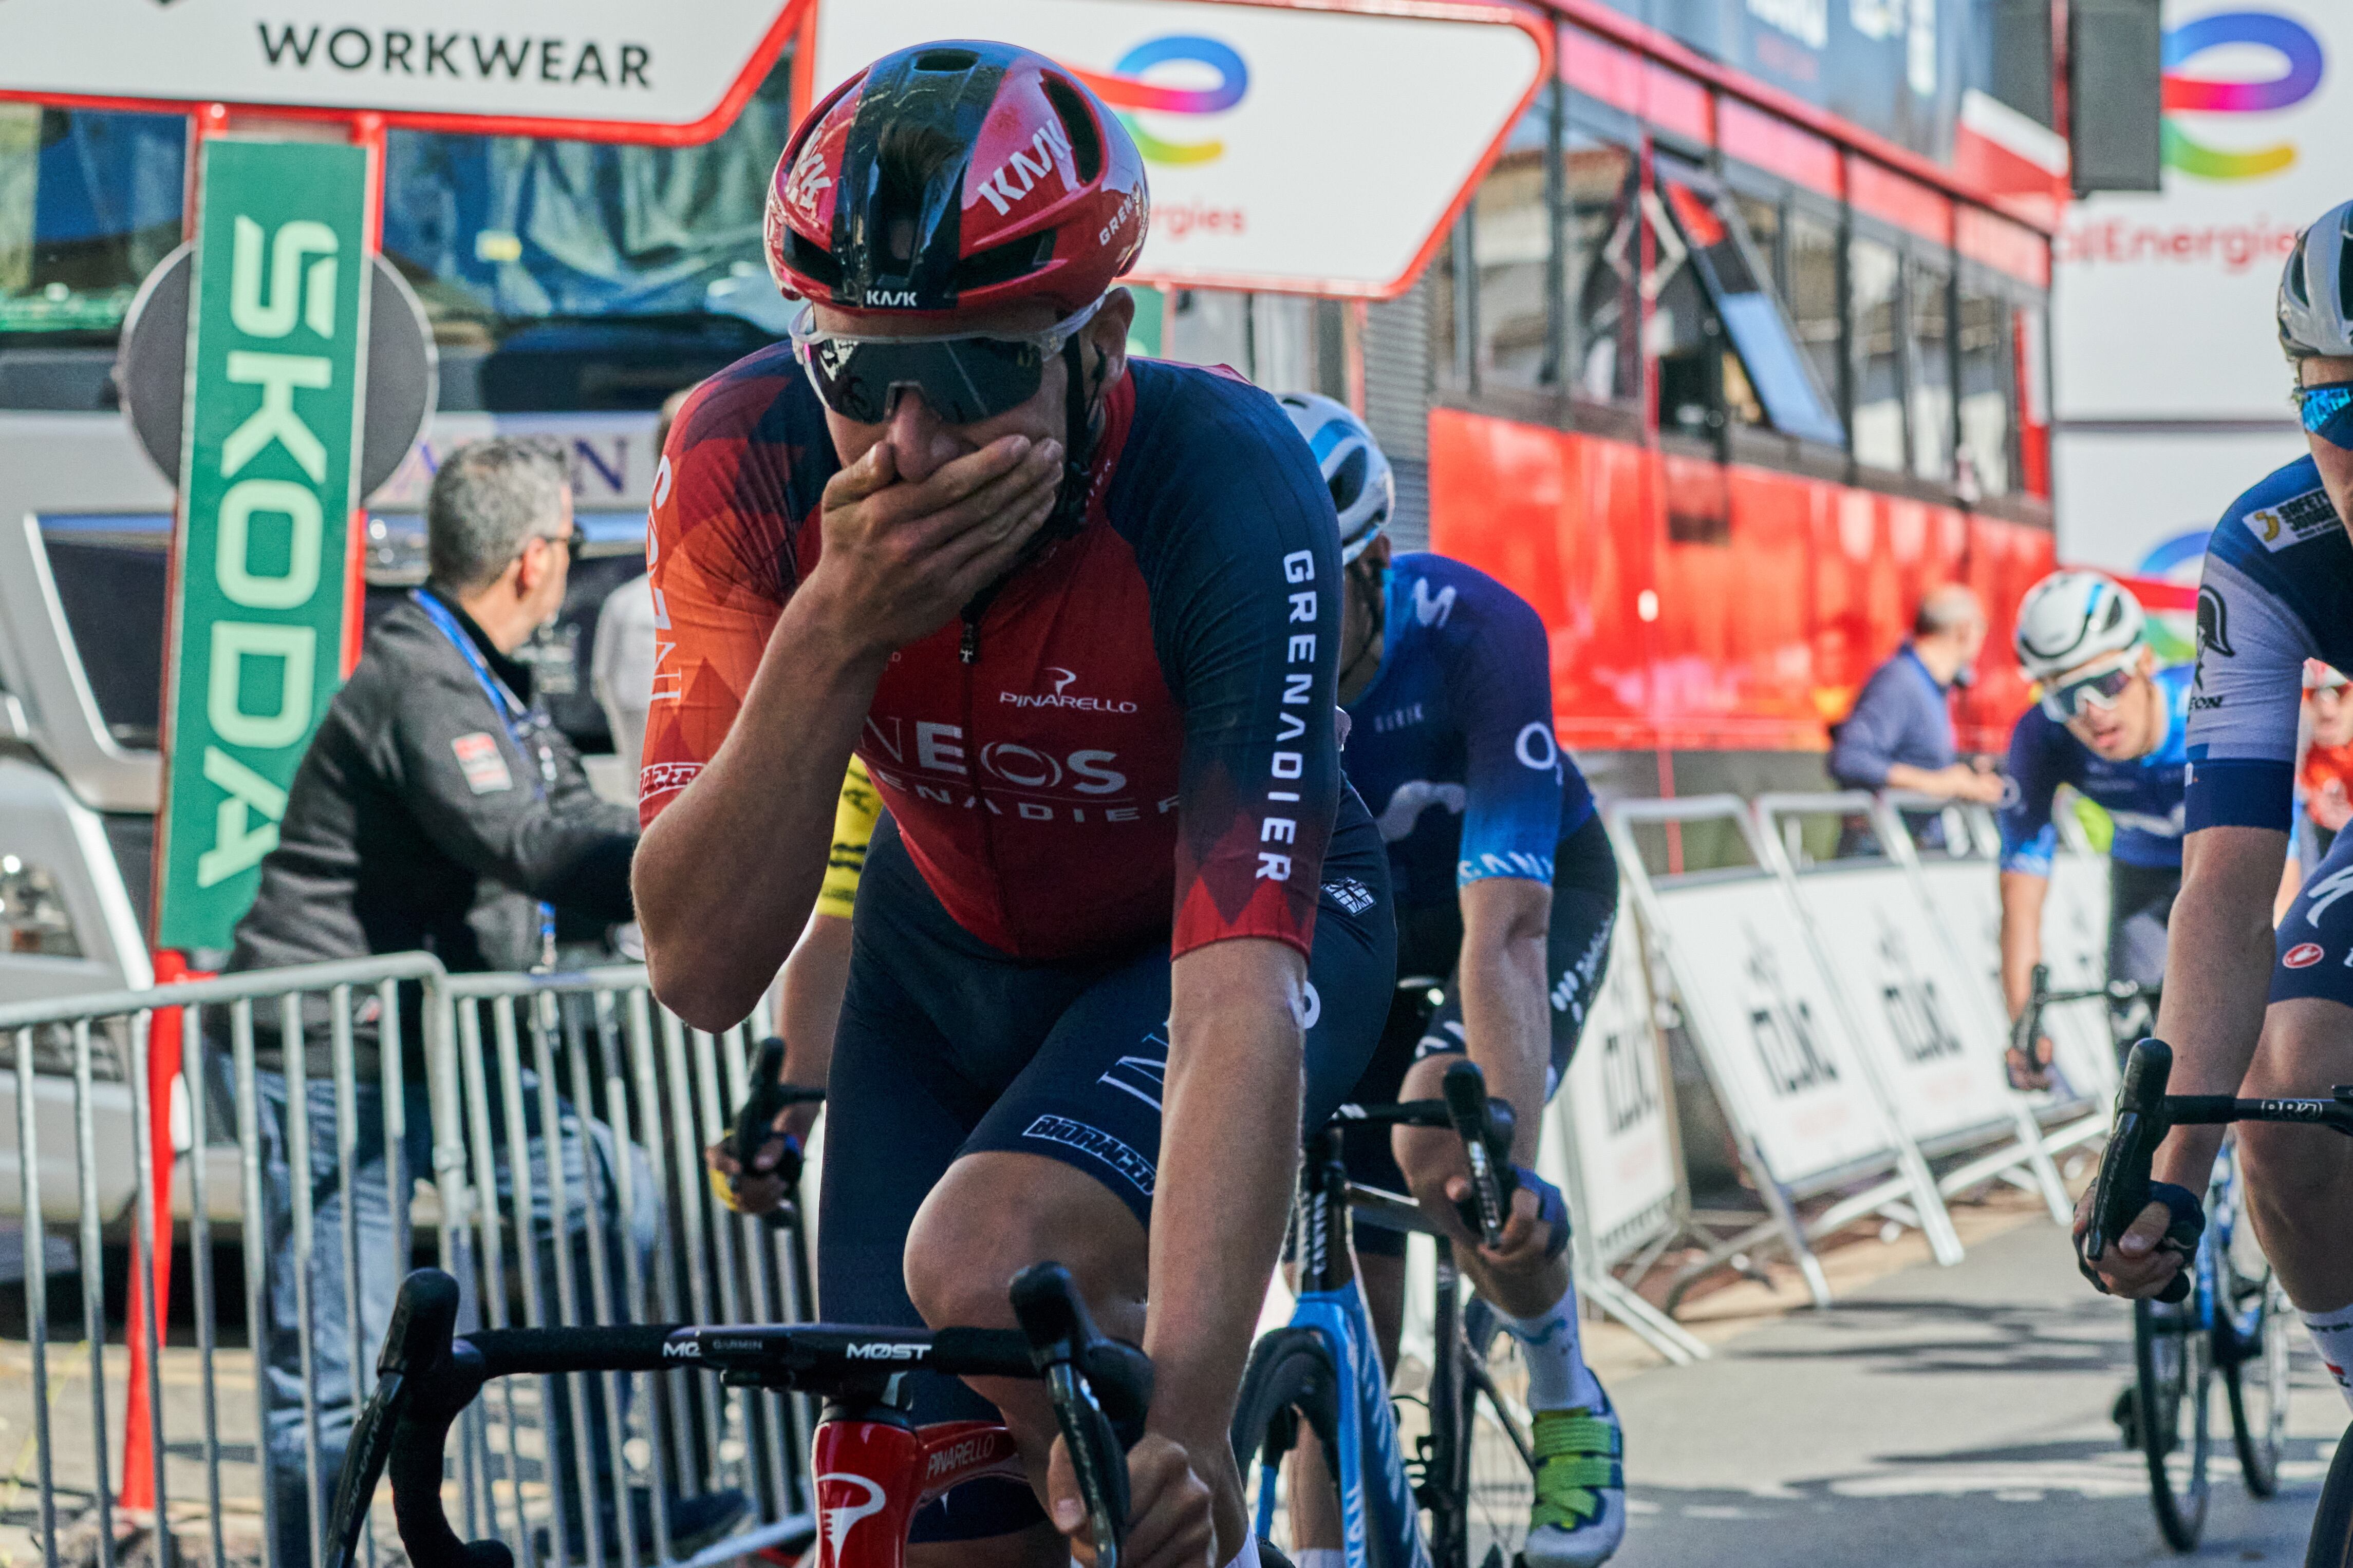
[[2218, 979]]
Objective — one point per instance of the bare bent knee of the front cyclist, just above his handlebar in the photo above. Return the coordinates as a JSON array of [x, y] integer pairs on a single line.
[[994, 1214]]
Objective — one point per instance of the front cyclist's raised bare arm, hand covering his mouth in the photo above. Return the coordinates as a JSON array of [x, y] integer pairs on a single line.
[[749, 833]]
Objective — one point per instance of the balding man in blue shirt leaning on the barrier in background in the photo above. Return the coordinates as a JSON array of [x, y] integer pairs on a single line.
[[1900, 735]]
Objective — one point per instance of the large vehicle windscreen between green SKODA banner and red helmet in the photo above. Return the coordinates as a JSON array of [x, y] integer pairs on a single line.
[[502, 232]]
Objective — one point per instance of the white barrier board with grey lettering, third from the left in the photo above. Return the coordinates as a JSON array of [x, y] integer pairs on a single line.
[[1905, 993]]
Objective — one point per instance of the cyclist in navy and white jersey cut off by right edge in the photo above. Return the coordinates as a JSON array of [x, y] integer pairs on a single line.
[[2279, 589]]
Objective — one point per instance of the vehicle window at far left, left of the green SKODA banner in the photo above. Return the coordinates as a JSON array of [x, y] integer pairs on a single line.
[[88, 206]]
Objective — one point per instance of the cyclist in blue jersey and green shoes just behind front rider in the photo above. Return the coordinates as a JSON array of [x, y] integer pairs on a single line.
[[1505, 890]]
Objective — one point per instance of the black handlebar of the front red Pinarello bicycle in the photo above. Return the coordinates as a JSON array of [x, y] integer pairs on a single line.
[[429, 1374]]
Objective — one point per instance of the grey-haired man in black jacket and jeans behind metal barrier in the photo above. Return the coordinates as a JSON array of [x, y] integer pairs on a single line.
[[436, 810]]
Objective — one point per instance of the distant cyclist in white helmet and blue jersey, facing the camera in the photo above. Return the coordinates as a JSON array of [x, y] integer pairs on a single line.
[[2117, 728]]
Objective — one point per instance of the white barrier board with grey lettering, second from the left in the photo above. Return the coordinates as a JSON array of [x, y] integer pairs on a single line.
[[1768, 1026]]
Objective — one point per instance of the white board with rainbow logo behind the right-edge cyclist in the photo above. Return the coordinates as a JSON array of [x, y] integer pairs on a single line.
[[2164, 302]]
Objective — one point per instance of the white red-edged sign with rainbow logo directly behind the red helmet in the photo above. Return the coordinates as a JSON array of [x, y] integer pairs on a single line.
[[1288, 149]]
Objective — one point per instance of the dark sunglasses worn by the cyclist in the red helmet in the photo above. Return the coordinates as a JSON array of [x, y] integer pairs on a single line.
[[966, 377]]
